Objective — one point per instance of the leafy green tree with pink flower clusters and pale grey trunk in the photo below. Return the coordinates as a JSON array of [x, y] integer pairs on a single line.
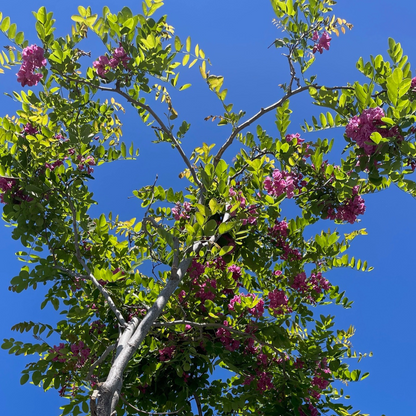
[[227, 277]]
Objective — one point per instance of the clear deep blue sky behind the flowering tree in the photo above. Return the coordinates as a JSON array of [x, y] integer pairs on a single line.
[[235, 34]]
